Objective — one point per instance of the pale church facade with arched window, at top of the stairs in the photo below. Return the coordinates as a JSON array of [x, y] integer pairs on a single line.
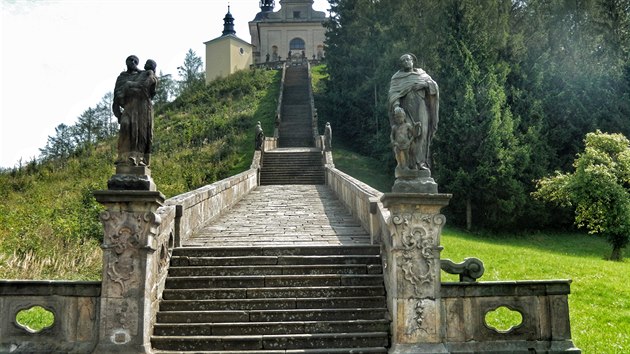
[[295, 28]]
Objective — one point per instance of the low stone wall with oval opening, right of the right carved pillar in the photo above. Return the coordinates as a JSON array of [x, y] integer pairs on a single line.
[[542, 305]]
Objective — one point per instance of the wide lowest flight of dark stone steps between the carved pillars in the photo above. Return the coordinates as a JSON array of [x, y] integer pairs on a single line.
[[314, 299]]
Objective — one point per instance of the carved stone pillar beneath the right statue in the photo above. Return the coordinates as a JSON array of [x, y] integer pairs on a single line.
[[413, 271]]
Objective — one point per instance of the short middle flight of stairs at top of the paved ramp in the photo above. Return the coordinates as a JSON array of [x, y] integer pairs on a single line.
[[292, 166]]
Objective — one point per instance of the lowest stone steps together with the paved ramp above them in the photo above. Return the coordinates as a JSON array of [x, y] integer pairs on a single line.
[[286, 270]]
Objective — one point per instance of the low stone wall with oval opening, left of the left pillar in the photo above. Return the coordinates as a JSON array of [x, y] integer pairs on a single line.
[[74, 304]]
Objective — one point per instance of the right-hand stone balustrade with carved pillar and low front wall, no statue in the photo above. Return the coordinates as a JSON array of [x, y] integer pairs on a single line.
[[429, 316]]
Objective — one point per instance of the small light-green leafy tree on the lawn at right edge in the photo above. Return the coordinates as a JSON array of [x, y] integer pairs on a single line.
[[599, 189]]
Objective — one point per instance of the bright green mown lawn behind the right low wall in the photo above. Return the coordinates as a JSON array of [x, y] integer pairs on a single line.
[[599, 302]]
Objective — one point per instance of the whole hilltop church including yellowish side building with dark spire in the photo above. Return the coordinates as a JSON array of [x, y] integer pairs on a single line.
[[296, 29]]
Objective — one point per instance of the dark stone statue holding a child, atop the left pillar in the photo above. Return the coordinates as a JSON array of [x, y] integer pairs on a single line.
[[133, 106]]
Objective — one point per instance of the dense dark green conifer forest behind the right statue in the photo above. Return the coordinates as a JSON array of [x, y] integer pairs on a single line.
[[521, 82]]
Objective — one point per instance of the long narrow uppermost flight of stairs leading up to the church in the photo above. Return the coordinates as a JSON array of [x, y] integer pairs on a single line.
[[296, 127]]
